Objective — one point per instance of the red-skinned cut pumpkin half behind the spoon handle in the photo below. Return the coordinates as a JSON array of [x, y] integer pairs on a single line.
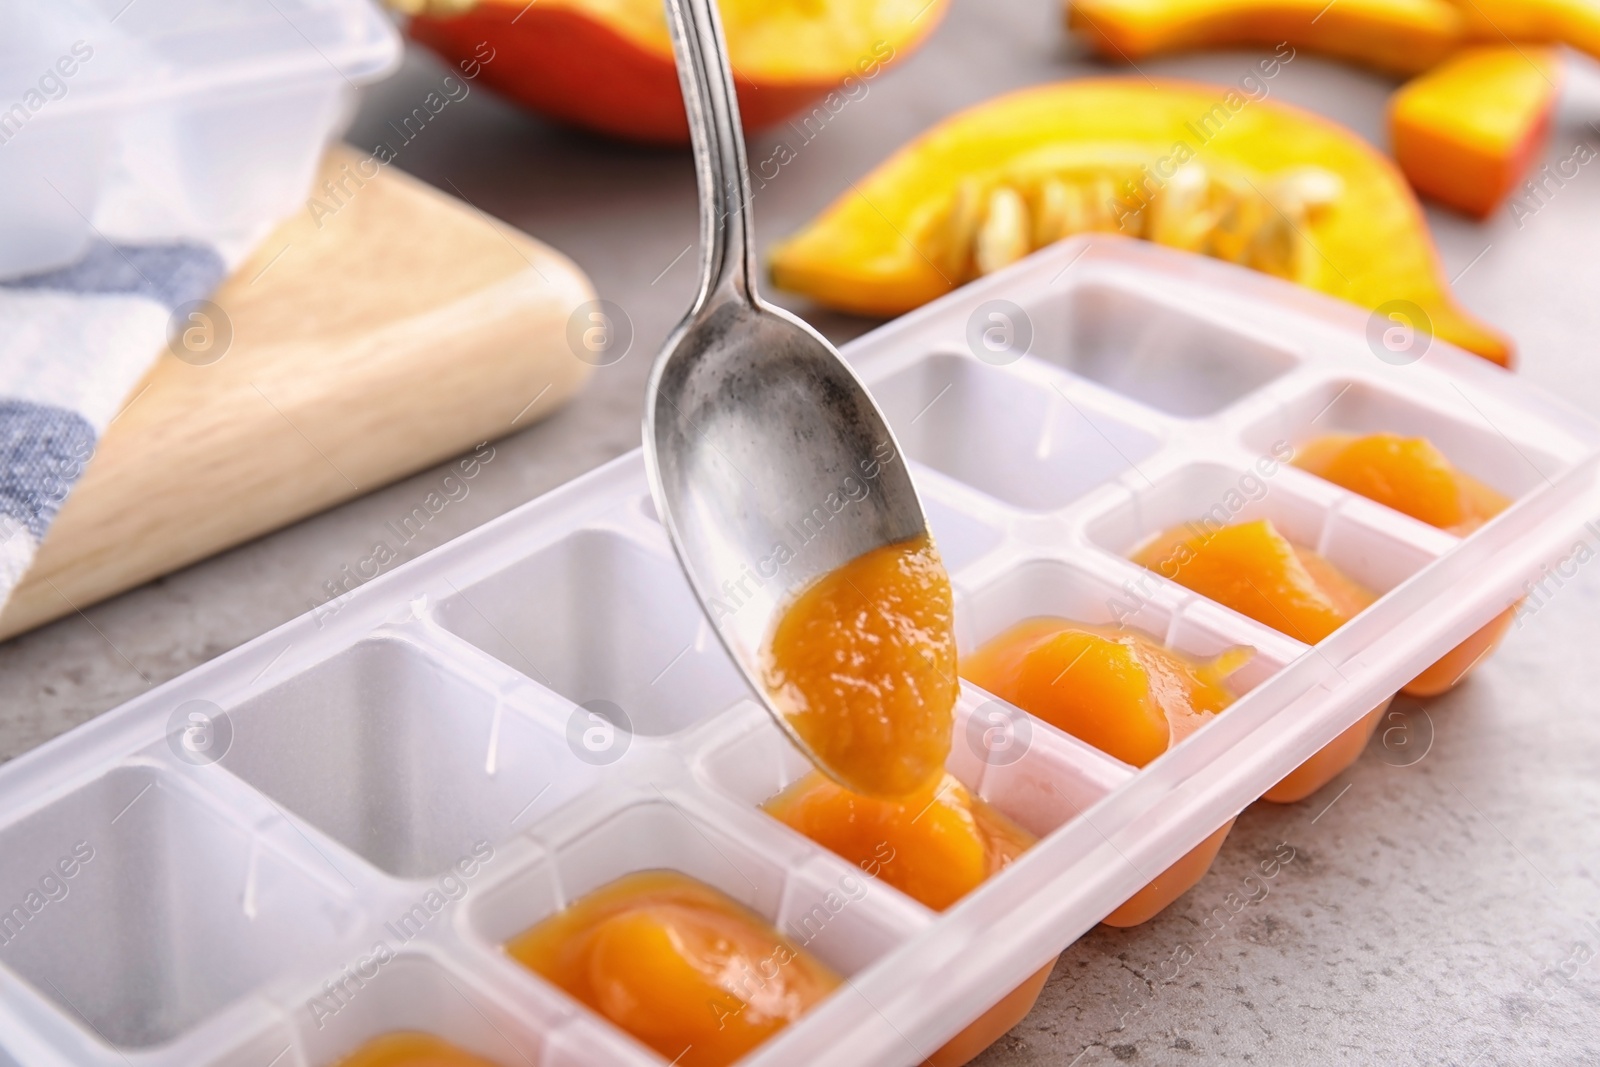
[[607, 65]]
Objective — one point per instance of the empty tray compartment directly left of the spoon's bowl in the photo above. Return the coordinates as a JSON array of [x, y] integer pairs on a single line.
[[602, 617]]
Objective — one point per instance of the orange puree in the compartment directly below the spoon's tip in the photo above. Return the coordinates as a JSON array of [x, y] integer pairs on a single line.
[[935, 847]]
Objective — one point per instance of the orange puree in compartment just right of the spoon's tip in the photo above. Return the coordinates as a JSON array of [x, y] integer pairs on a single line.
[[1116, 690]]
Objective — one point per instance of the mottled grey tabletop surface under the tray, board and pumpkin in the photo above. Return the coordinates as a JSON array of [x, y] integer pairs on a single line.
[[1431, 916]]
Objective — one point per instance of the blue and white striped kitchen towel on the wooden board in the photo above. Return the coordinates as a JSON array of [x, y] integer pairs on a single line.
[[73, 346]]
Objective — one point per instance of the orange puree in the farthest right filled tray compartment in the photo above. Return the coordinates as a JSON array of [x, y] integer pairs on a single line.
[[1406, 474]]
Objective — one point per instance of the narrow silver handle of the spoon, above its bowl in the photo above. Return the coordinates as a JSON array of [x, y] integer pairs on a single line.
[[727, 242]]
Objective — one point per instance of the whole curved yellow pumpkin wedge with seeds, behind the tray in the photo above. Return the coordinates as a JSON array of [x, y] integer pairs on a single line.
[[1188, 166]]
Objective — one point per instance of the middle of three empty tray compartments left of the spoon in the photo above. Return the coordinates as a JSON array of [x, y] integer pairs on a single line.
[[396, 754]]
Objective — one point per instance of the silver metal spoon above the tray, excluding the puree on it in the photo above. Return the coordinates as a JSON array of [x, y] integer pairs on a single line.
[[769, 462]]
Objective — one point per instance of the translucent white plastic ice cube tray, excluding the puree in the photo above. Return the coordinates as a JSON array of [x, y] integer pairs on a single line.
[[404, 788]]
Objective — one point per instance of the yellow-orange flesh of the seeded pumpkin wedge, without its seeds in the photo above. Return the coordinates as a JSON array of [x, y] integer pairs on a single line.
[[886, 246]]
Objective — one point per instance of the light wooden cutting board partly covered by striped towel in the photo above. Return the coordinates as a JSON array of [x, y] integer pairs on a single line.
[[367, 345]]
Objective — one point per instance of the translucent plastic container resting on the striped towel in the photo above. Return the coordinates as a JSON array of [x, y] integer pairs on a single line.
[[170, 119]]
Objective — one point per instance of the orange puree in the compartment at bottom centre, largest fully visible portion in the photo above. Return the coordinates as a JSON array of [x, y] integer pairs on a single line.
[[684, 969]]
